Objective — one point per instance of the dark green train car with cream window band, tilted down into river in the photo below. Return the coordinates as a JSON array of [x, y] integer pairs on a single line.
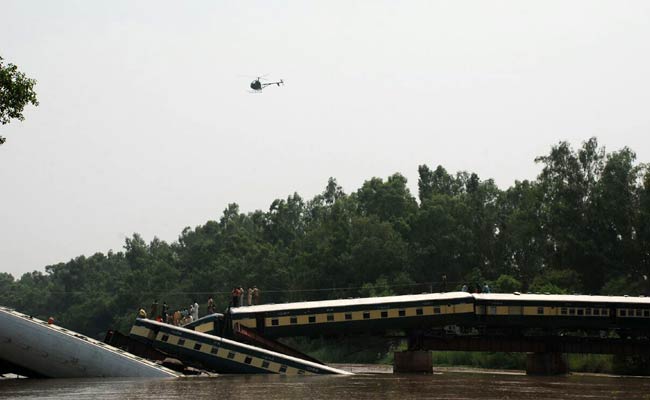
[[222, 355]]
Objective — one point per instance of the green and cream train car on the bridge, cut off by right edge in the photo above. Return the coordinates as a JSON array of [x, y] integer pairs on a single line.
[[562, 311]]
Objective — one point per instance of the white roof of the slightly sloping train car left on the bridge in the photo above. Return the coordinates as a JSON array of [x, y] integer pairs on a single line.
[[453, 296]]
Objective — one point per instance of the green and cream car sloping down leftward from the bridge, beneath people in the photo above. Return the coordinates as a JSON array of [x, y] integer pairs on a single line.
[[365, 315]]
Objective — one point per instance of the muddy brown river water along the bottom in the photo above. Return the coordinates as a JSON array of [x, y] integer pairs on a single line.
[[370, 382]]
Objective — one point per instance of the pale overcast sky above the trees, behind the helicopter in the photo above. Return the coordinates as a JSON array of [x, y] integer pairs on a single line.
[[146, 123]]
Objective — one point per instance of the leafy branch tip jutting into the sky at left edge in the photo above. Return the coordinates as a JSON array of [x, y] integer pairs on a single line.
[[16, 91]]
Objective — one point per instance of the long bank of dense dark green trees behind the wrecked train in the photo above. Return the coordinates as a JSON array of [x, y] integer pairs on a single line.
[[583, 226]]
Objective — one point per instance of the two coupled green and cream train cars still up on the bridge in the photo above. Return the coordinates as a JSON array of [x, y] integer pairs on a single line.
[[438, 310]]
